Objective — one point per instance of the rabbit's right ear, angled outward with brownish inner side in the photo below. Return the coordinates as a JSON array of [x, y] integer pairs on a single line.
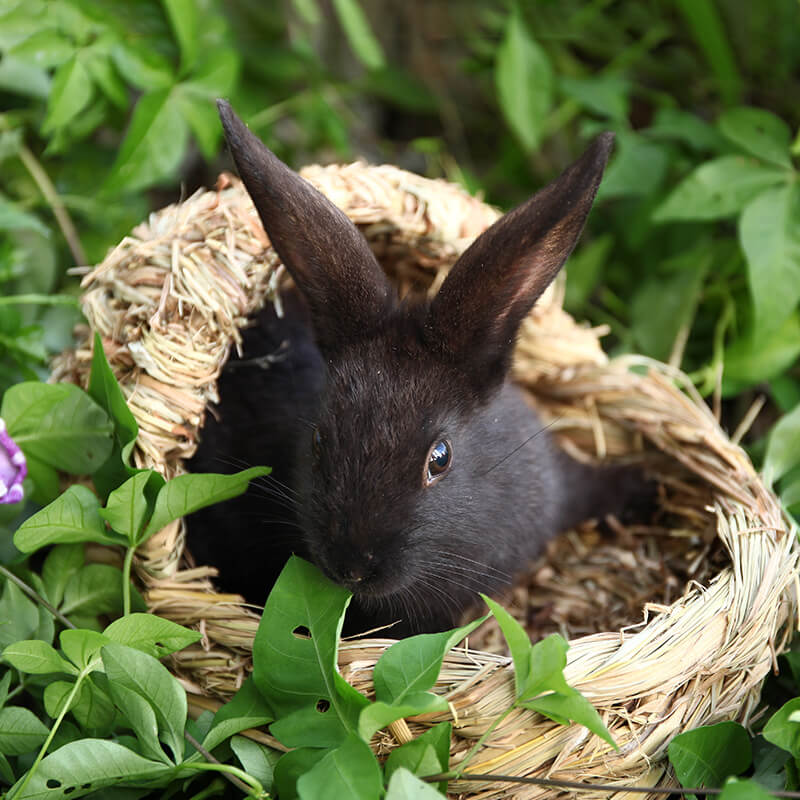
[[475, 316]]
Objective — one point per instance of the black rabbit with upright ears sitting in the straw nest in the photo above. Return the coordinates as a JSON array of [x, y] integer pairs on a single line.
[[407, 466]]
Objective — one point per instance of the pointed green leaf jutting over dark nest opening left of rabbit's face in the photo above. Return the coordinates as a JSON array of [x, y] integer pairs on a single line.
[[188, 493]]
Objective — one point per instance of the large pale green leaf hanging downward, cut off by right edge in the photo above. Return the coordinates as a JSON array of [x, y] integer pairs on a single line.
[[769, 231]]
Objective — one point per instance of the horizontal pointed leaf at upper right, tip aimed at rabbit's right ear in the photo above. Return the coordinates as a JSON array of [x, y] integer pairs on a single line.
[[718, 189]]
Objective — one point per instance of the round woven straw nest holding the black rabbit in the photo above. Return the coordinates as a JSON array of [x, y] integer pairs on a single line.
[[686, 615]]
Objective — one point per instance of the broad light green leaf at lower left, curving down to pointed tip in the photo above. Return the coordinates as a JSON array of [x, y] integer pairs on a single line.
[[151, 680]]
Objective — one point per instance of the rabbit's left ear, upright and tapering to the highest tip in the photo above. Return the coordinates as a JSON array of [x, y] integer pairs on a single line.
[[346, 289]]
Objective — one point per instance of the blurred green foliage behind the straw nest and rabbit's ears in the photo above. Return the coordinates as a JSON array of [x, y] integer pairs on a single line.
[[692, 254]]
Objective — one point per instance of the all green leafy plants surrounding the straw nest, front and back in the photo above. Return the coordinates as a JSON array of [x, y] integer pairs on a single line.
[[106, 111]]
